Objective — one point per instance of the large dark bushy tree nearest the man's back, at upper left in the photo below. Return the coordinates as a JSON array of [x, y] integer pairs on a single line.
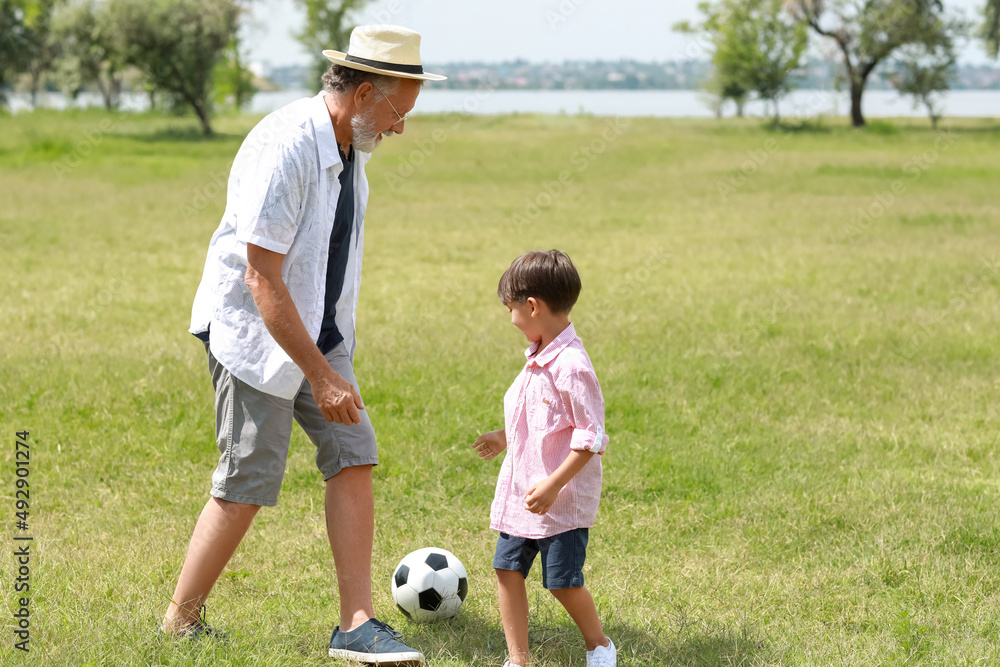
[[177, 45]]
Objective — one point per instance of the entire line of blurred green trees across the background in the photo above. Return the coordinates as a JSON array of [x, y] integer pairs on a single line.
[[187, 54]]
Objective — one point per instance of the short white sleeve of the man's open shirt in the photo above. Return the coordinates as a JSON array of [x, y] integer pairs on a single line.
[[271, 218]]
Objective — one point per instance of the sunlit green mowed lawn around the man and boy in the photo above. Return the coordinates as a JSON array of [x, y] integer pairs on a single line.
[[795, 332]]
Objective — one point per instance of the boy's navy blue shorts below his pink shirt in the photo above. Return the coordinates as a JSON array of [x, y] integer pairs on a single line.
[[562, 557]]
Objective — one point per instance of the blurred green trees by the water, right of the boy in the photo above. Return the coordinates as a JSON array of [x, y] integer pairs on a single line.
[[756, 45]]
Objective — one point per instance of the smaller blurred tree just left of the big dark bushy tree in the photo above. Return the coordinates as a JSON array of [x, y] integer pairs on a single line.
[[90, 49]]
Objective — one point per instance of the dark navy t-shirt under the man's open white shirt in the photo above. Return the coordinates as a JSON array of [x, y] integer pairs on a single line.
[[340, 246]]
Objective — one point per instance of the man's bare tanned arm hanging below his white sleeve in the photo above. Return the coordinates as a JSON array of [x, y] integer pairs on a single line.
[[336, 397]]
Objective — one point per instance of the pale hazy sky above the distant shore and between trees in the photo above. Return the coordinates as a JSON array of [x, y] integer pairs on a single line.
[[535, 30]]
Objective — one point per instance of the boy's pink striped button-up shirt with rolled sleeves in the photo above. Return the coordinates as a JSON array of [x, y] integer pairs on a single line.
[[555, 405]]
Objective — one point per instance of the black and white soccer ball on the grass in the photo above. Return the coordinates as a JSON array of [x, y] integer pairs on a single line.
[[429, 584]]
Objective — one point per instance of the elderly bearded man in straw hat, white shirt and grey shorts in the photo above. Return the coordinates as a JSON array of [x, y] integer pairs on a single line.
[[276, 311]]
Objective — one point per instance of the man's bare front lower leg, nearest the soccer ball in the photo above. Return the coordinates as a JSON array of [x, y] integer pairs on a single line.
[[350, 525]]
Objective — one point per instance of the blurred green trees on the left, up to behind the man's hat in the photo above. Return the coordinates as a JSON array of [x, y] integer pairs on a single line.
[[186, 54]]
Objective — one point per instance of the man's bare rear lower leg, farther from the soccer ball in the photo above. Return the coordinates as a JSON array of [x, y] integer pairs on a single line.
[[220, 528]]
